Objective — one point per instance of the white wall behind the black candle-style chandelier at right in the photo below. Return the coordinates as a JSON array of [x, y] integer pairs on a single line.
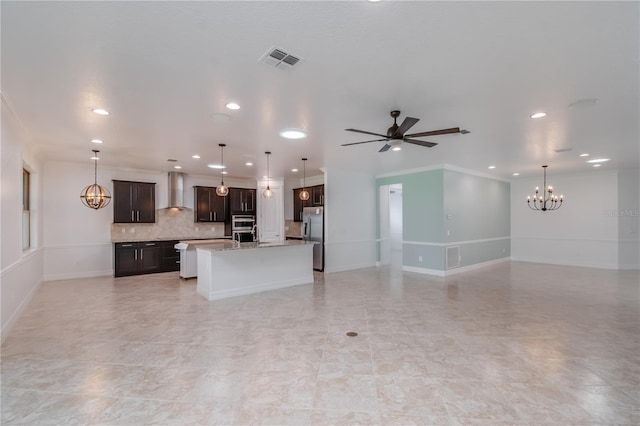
[[580, 233]]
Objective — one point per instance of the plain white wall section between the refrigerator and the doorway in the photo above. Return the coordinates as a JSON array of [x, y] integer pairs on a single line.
[[350, 220]]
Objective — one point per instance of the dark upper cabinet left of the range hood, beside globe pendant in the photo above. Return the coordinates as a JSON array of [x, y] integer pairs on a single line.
[[134, 202]]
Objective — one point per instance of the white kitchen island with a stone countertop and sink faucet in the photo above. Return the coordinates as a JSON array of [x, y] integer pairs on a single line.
[[232, 269]]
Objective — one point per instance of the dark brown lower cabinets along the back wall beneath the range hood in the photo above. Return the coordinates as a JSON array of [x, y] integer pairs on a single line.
[[144, 257]]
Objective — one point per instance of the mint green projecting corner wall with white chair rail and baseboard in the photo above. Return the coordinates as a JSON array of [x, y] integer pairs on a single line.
[[448, 208]]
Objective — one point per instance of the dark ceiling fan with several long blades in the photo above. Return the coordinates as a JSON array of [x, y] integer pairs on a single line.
[[396, 134]]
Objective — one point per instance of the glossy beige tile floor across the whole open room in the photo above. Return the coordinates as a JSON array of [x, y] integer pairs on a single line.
[[515, 343]]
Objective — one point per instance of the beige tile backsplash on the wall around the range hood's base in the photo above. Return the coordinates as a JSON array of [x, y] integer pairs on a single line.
[[171, 224]]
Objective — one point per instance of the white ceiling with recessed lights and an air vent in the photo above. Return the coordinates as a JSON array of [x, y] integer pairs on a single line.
[[165, 71]]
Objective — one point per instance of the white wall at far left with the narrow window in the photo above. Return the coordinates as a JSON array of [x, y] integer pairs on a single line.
[[20, 271]]
